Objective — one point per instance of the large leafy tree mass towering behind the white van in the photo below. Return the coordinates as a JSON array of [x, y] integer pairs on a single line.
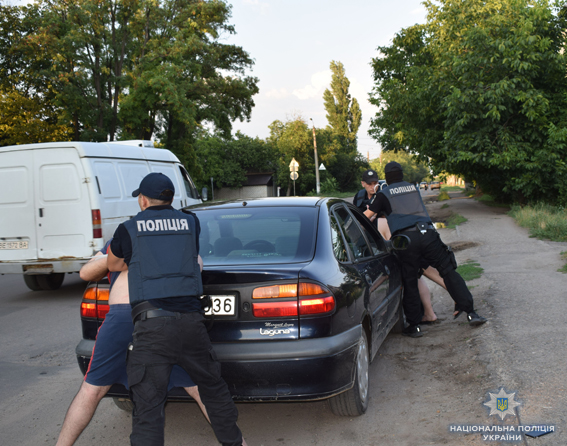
[[119, 69]]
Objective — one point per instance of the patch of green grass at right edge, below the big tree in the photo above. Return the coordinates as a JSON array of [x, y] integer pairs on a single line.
[[544, 221]]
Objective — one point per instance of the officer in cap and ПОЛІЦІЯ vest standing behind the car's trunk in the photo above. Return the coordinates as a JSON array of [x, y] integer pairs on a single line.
[[160, 249]]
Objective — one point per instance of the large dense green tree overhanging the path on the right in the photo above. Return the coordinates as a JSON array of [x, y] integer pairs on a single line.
[[480, 90]]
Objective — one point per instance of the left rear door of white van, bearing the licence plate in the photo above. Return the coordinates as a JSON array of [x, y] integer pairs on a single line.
[[17, 207]]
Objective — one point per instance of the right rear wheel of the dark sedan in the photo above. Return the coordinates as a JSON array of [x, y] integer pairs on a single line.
[[354, 401]]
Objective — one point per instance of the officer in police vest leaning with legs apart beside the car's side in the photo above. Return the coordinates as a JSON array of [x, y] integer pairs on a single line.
[[401, 202]]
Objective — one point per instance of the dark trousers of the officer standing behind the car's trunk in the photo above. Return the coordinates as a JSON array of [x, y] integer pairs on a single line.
[[158, 344]]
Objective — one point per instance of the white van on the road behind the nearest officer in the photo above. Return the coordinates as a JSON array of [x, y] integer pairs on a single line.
[[60, 202]]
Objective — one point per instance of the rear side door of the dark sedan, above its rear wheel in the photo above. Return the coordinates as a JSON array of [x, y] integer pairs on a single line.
[[369, 267]]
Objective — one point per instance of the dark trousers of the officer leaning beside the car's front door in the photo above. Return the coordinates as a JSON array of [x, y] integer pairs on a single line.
[[429, 249]]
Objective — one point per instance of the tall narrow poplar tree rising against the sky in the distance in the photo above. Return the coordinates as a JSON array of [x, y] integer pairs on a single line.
[[344, 117]]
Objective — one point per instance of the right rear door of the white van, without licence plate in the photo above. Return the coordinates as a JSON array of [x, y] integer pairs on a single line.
[[63, 211]]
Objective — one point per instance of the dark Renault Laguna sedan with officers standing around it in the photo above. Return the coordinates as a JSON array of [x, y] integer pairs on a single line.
[[304, 291]]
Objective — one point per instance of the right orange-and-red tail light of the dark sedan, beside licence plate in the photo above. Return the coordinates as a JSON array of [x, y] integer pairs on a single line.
[[310, 299]]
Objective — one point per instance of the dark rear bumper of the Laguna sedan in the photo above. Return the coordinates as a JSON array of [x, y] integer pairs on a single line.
[[294, 370]]
